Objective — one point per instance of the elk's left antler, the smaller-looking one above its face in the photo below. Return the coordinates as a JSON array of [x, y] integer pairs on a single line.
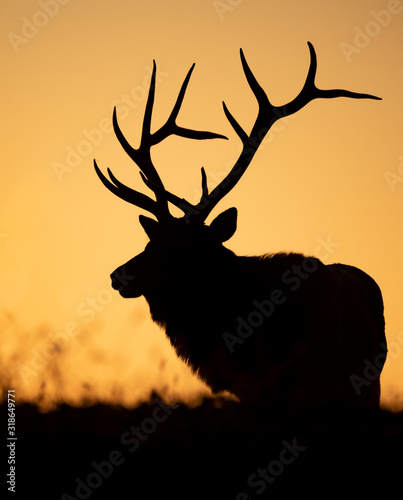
[[142, 155]]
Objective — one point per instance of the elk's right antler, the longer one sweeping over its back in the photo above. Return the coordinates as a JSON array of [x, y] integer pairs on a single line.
[[268, 114]]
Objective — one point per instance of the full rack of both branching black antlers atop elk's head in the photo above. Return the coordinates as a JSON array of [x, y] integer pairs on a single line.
[[268, 114]]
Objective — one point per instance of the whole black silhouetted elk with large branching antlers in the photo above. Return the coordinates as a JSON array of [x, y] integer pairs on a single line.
[[280, 329]]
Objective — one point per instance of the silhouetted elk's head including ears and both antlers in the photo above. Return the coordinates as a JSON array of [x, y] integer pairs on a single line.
[[182, 243]]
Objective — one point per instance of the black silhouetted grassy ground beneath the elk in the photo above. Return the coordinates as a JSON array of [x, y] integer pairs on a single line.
[[210, 451]]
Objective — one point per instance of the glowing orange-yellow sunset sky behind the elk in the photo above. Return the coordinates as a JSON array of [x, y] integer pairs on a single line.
[[328, 181]]
